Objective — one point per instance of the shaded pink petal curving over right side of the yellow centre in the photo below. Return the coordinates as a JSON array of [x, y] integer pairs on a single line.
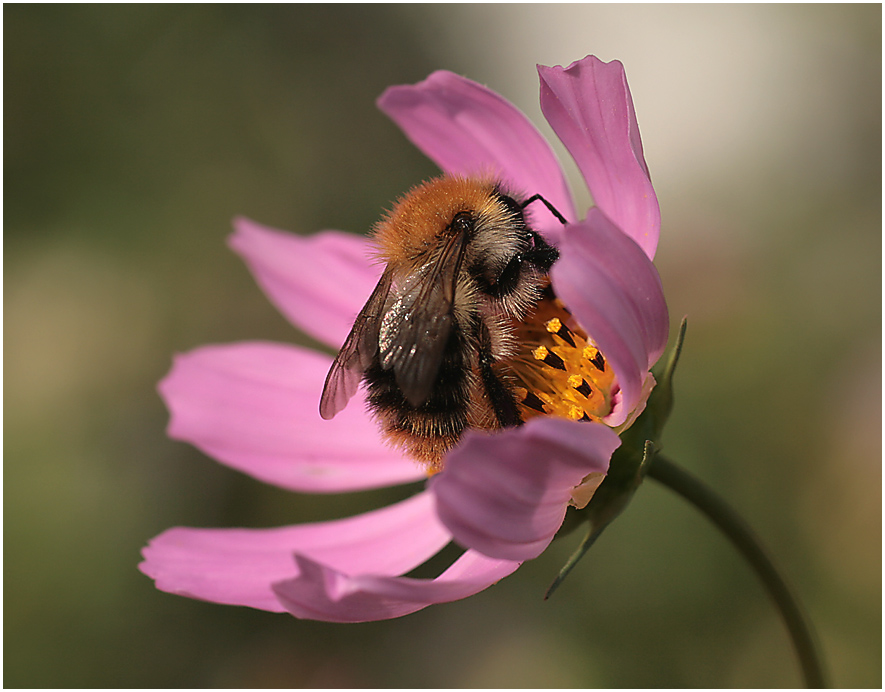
[[614, 291]]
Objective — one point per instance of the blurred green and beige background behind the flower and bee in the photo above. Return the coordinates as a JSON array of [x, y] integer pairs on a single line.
[[133, 134]]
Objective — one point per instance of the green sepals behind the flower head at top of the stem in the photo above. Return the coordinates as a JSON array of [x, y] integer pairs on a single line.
[[630, 462]]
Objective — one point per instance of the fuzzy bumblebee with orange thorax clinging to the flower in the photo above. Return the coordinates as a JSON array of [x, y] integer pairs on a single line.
[[463, 269]]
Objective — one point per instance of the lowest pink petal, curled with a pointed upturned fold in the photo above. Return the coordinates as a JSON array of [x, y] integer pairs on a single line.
[[323, 593]]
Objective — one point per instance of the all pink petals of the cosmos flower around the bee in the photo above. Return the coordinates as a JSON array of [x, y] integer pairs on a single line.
[[503, 496]]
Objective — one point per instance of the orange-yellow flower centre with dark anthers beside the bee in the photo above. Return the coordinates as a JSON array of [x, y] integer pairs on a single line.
[[557, 369]]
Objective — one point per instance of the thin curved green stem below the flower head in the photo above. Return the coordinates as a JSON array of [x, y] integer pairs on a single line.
[[702, 497]]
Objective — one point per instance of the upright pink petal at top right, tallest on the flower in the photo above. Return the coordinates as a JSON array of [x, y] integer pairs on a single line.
[[589, 106]]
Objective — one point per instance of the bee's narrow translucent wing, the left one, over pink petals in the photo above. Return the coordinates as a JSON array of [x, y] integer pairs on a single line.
[[357, 352]]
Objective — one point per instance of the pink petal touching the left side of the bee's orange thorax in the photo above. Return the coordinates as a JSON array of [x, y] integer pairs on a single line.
[[319, 282]]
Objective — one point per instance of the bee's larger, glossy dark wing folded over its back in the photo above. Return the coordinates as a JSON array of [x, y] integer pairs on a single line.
[[415, 330]]
